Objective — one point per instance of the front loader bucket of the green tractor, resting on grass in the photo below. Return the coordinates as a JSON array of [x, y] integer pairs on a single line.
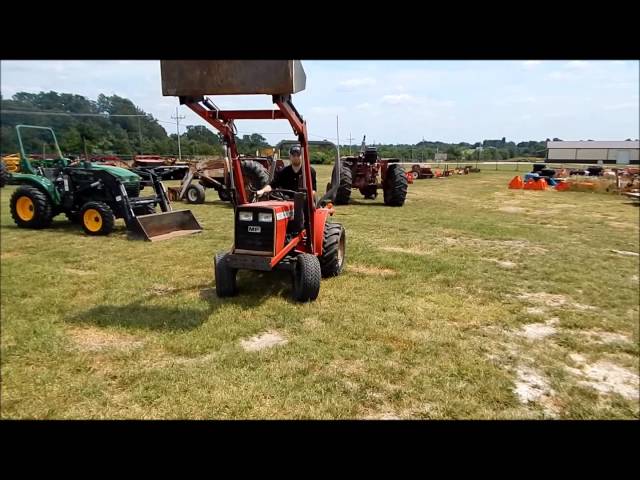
[[163, 226]]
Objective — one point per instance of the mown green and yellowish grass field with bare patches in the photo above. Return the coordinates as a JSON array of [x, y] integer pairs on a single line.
[[471, 301]]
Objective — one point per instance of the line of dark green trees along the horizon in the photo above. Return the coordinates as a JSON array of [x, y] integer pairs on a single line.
[[113, 125]]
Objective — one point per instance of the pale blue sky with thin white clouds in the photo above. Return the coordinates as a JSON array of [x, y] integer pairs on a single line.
[[390, 101]]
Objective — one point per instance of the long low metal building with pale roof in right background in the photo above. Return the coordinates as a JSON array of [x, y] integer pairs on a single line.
[[623, 153]]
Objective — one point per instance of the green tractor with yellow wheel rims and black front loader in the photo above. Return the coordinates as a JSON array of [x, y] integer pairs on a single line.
[[93, 195]]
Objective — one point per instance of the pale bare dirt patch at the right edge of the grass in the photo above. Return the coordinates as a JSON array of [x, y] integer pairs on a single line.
[[606, 377]]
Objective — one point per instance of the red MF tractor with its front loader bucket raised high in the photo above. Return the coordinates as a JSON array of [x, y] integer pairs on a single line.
[[290, 230]]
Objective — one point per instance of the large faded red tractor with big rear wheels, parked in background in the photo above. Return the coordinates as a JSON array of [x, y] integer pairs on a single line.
[[368, 172]]
